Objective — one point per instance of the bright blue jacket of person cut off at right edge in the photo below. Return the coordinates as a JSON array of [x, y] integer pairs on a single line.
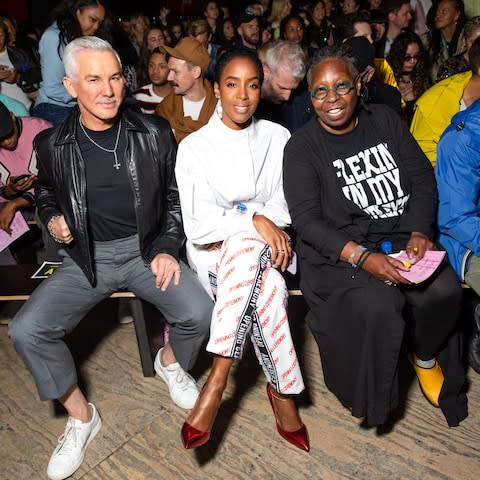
[[458, 183]]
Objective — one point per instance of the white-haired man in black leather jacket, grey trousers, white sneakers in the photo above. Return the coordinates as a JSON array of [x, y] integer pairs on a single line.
[[107, 193]]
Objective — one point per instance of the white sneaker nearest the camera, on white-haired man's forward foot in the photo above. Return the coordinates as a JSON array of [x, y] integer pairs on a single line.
[[70, 451]]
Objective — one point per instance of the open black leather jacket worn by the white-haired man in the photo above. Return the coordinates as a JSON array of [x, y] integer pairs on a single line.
[[61, 187]]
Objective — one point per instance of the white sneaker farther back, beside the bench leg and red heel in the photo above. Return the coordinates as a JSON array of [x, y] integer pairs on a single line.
[[182, 387]]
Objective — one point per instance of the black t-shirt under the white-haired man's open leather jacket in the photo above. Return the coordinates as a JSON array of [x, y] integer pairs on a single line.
[[110, 198]]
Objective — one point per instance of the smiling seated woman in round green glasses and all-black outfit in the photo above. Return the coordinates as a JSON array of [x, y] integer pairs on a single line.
[[358, 187]]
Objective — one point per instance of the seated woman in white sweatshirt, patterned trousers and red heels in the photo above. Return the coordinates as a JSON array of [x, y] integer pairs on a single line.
[[229, 176]]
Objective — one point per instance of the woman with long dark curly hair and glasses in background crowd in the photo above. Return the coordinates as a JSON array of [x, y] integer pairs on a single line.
[[408, 60]]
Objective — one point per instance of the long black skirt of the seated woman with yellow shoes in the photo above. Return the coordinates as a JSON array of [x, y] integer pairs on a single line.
[[359, 324]]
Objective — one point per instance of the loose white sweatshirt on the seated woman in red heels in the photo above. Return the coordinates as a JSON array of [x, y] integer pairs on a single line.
[[217, 168]]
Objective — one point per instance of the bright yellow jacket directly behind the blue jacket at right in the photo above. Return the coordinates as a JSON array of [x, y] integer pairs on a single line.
[[434, 110]]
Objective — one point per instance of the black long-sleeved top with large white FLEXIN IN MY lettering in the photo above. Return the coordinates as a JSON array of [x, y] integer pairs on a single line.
[[330, 206]]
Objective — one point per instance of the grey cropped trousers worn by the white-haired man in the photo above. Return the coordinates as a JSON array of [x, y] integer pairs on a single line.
[[61, 301]]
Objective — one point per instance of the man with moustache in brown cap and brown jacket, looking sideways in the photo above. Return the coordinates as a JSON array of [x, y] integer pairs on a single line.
[[192, 101]]
